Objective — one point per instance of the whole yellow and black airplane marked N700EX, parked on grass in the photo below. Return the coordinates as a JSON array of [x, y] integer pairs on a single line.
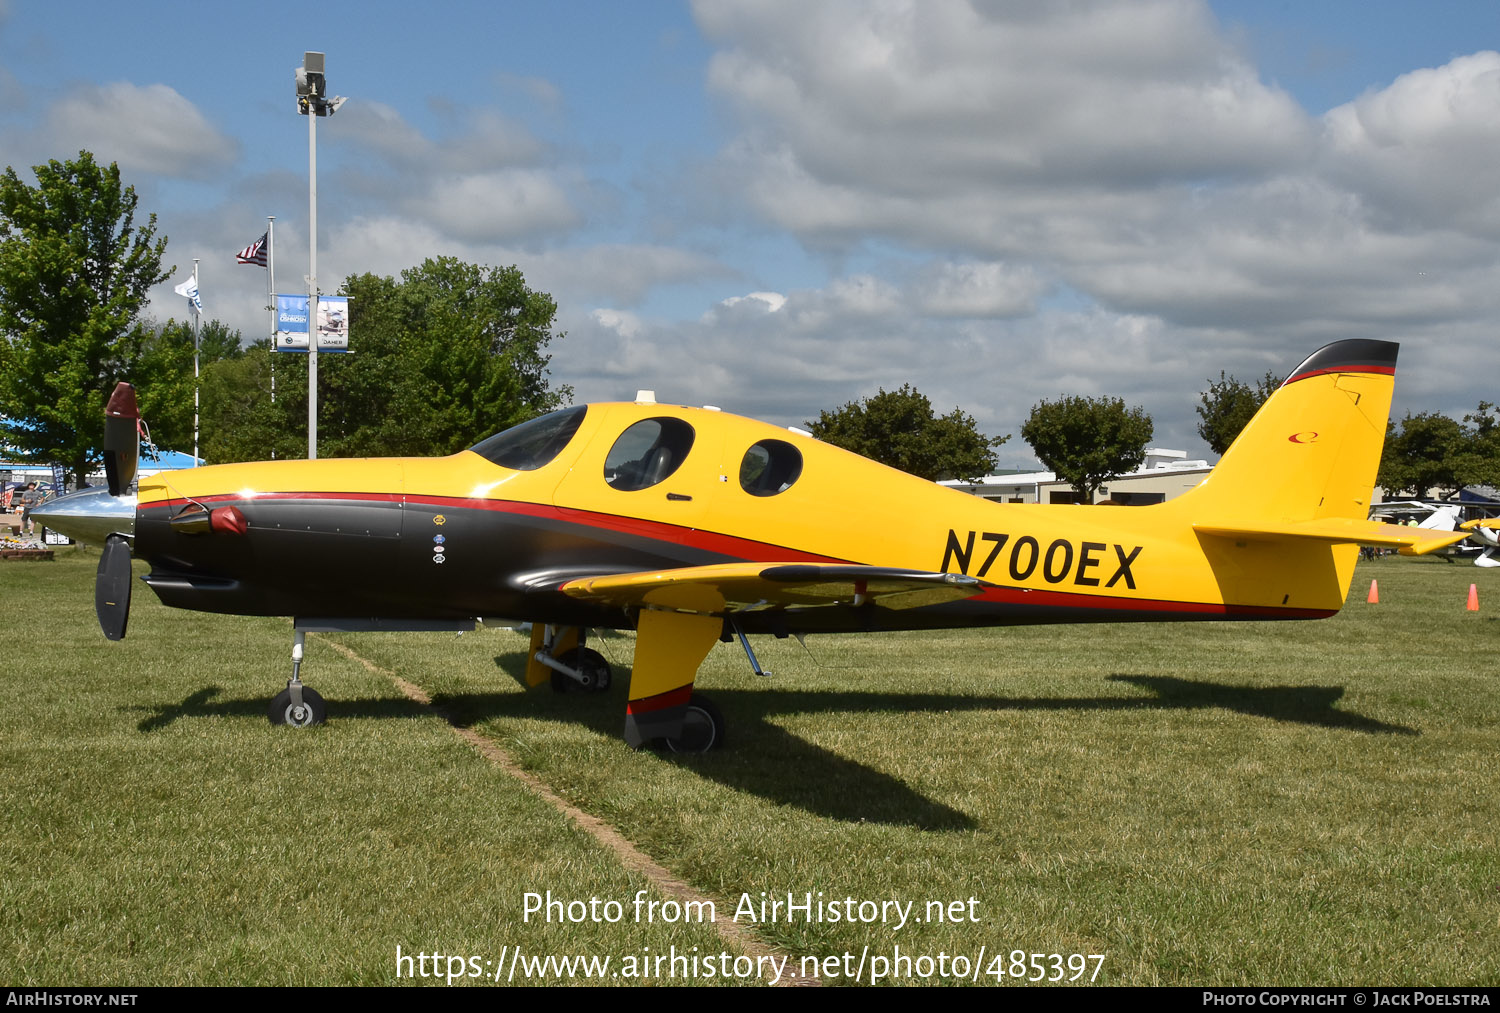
[[694, 526]]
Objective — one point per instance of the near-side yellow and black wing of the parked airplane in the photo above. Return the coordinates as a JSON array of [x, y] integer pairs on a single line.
[[740, 588]]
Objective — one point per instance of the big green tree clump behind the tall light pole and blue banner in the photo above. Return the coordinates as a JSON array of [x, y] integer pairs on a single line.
[[443, 356]]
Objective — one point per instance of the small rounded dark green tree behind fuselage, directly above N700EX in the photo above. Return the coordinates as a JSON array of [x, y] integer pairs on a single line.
[[1087, 442]]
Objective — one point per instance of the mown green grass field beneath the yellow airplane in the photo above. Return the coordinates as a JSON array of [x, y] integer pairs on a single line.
[[1298, 804]]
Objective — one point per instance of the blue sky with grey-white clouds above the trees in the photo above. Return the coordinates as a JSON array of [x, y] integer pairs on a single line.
[[781, 206]]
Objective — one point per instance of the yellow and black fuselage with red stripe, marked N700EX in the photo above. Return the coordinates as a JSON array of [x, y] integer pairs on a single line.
[[464, 537]]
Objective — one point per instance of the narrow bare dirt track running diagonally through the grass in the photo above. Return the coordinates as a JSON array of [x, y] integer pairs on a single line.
[[629, 855]]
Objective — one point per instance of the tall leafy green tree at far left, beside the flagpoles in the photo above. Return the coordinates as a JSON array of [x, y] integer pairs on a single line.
[[74, 275]]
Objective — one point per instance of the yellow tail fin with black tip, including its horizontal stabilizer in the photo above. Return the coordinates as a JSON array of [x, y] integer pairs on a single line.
[[1306, 466]]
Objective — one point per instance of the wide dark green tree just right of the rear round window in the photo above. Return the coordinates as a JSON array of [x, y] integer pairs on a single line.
[[899, 428]]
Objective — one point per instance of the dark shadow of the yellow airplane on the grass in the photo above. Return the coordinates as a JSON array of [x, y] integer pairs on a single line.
[[769, 762]]
